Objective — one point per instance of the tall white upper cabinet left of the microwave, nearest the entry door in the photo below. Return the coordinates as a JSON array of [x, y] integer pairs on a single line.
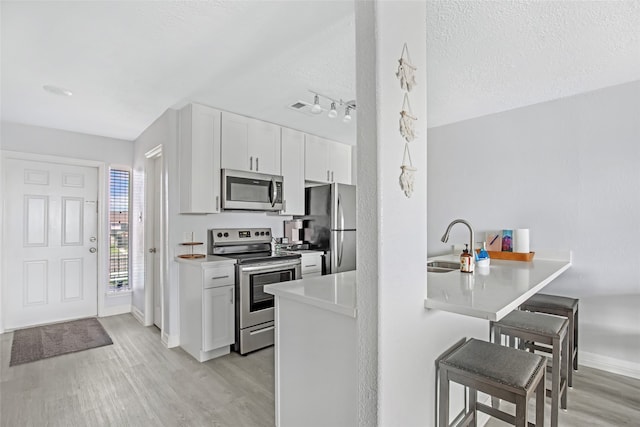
[[199, 159]]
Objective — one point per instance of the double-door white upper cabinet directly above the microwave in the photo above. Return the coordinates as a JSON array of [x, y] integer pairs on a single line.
[[250, 145]]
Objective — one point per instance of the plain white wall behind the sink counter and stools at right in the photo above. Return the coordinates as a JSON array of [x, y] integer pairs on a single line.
[[570, 171]]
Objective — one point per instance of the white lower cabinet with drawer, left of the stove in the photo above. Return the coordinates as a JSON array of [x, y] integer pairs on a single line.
[[207, 310]]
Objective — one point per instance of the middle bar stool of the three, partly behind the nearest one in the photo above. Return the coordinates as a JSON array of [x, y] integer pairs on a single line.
[[545, 329]]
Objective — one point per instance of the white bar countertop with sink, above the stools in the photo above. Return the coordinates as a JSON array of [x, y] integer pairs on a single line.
[[492, 293]]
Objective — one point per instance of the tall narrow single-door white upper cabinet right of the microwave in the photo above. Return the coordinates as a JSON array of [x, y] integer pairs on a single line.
[[292, 169]]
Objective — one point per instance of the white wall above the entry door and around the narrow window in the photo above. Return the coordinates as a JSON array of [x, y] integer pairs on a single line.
[[54, 142]]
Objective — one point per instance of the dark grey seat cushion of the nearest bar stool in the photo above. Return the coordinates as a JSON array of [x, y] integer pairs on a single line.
[[505, 365]]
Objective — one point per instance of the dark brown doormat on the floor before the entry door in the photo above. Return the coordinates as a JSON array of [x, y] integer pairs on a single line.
[[47, 341]]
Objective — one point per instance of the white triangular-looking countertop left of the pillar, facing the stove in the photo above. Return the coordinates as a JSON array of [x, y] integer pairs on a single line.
[[333, 292]]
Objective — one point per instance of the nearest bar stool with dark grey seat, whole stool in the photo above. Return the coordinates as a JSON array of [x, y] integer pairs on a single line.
[[503, 372]]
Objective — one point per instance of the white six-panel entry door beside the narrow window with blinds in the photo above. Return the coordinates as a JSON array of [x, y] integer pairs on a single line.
[[50, 245]]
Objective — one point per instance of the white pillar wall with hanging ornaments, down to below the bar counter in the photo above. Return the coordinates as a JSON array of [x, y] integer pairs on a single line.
[[398, 339]]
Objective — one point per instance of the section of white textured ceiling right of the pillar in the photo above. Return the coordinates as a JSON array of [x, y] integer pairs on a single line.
[[486, 57]]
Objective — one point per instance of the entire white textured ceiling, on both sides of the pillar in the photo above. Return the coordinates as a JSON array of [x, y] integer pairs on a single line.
[[127, 62]]
